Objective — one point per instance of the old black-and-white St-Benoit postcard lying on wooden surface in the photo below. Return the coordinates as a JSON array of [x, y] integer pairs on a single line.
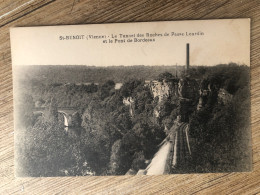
[[144, 98]]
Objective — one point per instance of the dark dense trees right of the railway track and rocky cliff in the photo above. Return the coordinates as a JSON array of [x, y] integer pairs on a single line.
[[222, 130]]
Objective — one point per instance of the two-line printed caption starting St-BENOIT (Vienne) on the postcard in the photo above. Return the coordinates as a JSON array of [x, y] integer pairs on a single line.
[[136, 37]]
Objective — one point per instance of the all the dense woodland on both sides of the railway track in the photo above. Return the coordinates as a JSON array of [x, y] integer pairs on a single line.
[[110, 137]]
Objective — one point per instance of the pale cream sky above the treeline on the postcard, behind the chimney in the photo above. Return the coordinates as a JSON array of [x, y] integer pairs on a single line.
[[216, 42]]
